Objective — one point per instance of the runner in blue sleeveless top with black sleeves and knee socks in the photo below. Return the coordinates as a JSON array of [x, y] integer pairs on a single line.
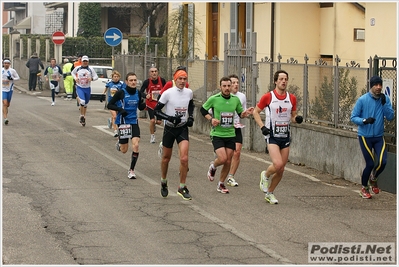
[[126, 101]]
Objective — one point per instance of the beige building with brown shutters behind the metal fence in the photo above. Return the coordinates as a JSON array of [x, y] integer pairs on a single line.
[[354, 31]]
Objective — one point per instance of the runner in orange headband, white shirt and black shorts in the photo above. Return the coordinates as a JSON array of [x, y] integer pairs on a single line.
[[178, 116]]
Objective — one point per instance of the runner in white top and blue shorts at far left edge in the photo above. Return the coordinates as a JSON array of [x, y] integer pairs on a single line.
[[8, 77]]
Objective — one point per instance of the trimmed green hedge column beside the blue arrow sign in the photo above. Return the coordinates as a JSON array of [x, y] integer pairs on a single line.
[[89, 20]]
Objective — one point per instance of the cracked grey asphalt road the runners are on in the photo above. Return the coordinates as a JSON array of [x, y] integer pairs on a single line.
[[67, 200]]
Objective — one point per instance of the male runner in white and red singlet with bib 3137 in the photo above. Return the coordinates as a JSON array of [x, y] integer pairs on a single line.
[[281, 112]]
